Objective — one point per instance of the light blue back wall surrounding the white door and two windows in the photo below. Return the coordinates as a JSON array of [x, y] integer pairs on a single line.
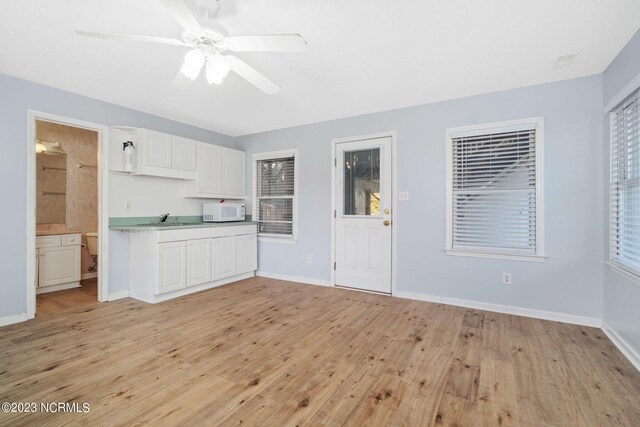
[[570, 281]]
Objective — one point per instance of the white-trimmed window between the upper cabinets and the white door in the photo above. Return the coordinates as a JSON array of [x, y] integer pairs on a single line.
[[274, 194]]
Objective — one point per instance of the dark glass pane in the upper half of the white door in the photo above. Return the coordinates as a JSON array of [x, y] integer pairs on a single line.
[[362, 182]]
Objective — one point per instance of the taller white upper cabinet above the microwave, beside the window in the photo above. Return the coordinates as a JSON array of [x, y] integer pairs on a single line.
[[221, 173]]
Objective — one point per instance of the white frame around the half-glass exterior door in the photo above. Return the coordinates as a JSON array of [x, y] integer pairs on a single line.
[[394, 201]]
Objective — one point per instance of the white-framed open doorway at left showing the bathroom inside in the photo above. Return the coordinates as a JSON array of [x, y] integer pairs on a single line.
[[67, 231]]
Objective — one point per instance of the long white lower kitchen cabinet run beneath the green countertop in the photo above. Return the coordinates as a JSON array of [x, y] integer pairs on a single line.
[[189, 260]]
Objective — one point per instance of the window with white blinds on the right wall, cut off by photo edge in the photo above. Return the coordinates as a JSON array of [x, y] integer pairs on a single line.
[[624, 192]]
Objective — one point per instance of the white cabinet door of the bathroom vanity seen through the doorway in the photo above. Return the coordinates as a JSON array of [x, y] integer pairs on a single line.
[[58, 265]]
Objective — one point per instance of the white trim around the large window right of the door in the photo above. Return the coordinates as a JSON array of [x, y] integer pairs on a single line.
[[497, 127]]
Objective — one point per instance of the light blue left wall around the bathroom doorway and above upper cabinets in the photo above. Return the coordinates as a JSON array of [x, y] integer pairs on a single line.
[[16, 96]]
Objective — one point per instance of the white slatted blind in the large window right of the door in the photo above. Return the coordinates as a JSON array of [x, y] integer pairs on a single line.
[[494, 192]]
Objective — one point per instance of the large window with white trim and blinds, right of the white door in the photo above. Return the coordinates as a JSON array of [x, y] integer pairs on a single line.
[[494, 190]]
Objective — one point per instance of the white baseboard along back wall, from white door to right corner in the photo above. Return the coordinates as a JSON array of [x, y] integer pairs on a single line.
[[506, 309]]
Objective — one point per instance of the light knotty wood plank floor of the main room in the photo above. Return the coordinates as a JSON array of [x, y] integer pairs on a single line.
[[268, 352]]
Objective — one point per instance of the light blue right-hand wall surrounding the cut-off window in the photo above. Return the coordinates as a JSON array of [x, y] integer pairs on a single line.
[[621, 296]]
